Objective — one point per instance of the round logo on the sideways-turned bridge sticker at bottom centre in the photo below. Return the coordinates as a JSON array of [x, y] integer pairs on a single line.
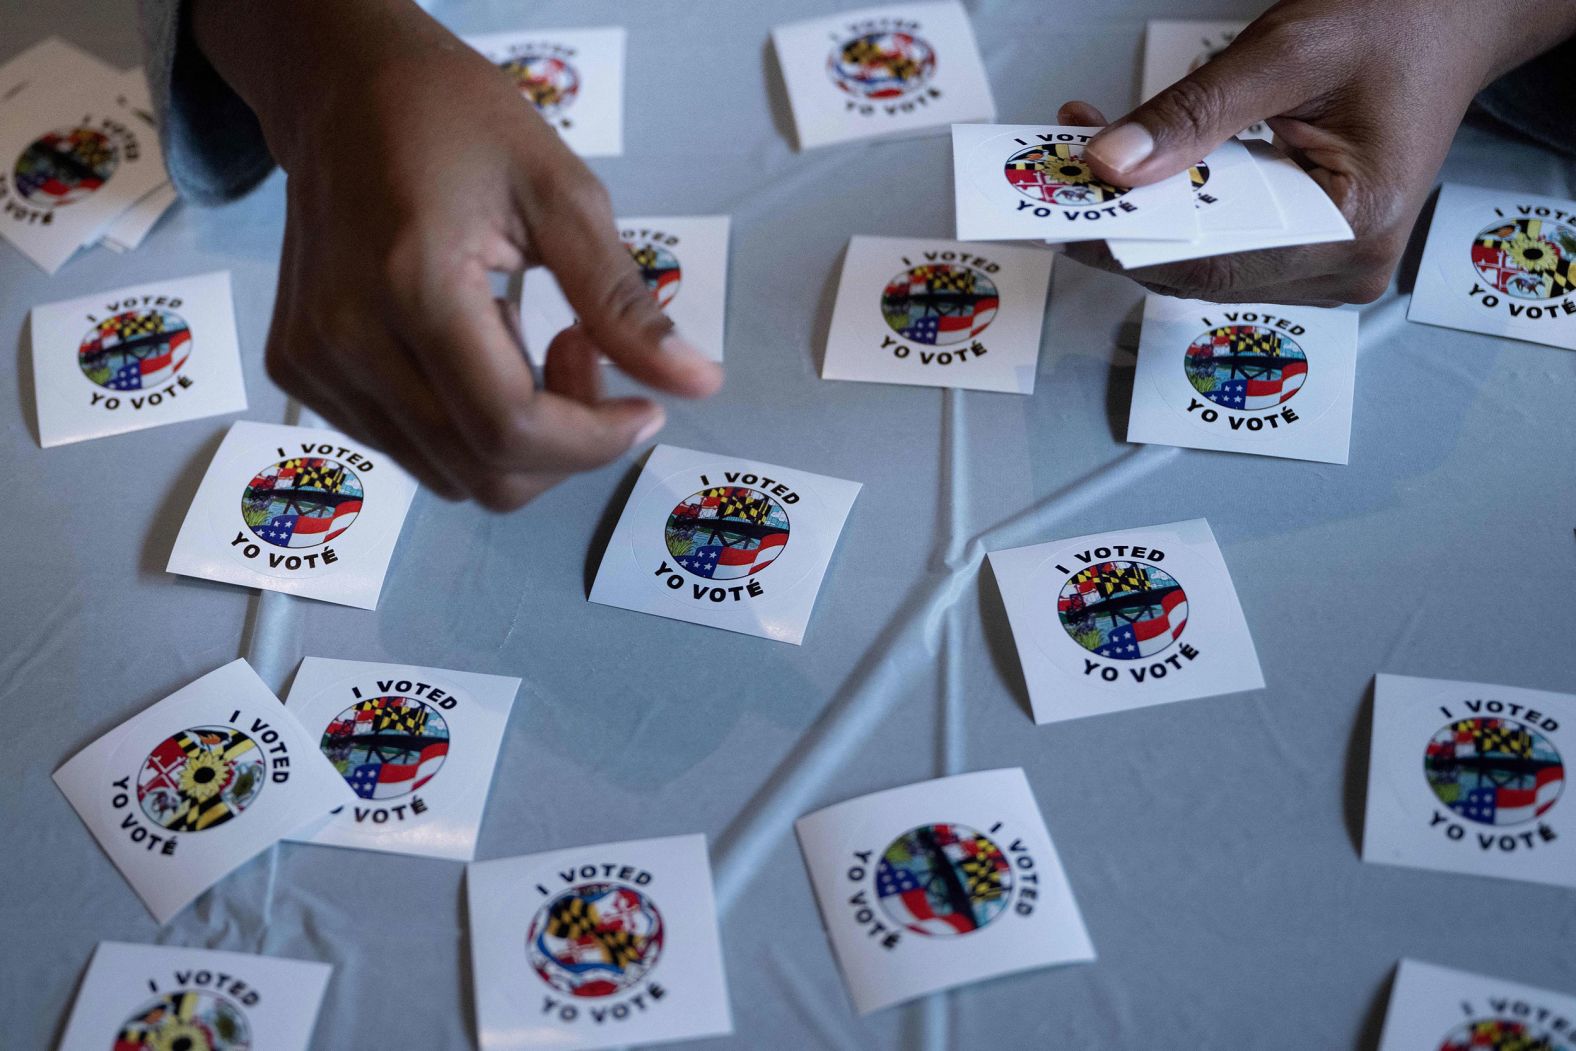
[[943, 880]]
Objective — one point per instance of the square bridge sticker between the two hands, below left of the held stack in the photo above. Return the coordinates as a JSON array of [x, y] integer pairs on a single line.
[[937, 313]]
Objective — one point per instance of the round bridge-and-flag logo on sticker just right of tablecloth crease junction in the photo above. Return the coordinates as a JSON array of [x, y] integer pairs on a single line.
[[1123, 611]]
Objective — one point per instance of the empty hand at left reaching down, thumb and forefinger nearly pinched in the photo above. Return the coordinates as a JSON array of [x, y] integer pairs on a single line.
[[415, 173]]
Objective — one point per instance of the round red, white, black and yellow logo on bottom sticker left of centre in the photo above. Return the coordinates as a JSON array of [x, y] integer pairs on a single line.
[[595, 940]]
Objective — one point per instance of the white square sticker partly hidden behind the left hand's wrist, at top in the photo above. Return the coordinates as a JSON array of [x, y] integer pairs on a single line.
[[573, 78]]
